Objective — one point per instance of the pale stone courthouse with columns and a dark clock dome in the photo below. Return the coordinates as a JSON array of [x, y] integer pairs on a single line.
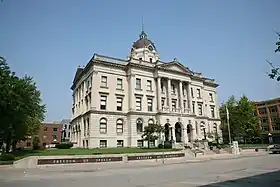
[[114, 99]]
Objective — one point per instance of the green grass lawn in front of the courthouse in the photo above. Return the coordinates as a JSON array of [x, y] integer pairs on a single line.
[[79, 151]]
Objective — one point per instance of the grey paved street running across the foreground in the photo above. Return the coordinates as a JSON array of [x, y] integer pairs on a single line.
[[256, 171]]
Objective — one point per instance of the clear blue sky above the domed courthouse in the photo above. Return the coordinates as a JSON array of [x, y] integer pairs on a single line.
[[225, 40]]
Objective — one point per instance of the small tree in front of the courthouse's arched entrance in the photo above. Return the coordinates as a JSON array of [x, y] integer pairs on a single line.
[[151, 132]]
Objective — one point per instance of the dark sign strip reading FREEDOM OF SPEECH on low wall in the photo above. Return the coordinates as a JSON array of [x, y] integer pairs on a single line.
[[78, 160]]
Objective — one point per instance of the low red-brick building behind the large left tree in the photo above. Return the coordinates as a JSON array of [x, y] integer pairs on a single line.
[[49, 133]]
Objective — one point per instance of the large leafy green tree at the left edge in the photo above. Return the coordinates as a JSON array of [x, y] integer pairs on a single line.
[[21, 111]]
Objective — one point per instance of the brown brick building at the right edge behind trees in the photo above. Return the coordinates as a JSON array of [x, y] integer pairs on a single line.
[[268, 112]]
